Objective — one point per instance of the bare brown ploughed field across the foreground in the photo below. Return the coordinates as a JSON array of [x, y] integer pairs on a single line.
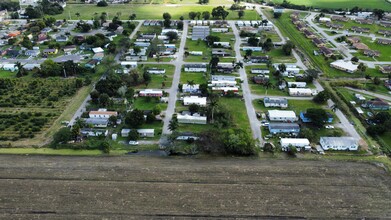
[[48, 187]]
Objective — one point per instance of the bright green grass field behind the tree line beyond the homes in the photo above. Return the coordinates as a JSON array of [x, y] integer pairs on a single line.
[[145, 11]]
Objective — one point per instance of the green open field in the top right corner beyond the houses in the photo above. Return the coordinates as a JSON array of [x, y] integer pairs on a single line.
[[341, 3]]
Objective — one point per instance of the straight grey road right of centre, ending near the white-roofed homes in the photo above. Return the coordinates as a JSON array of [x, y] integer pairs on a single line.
[[254, 122]]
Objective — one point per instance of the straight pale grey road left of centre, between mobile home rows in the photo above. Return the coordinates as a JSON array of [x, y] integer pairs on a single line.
[[173, 91]]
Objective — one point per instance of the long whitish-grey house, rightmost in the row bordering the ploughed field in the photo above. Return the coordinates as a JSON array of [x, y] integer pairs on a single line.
[[338, 143]]
